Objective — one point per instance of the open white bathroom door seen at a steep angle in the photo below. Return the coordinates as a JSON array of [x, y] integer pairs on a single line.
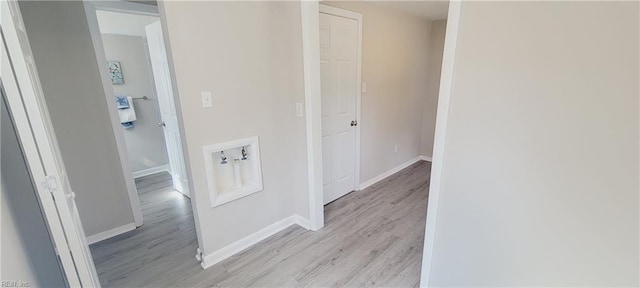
[[166, 101]]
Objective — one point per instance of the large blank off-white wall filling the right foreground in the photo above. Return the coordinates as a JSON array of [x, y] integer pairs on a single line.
[[540, 180]]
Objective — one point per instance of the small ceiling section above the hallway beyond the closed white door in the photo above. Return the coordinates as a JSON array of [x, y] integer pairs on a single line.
[[430, 10]]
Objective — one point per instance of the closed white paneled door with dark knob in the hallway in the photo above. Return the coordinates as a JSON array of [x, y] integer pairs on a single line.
[[338, 72]]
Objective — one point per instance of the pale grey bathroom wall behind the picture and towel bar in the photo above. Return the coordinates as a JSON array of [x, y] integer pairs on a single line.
[[145, 143]]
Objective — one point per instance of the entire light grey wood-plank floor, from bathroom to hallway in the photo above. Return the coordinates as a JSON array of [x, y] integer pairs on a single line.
[[372, 237]]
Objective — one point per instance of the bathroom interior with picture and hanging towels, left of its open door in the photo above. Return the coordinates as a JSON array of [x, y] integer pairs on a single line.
[[125, 45]]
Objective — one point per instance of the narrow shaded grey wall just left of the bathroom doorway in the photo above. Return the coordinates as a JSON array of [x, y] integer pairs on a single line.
[[69, 73]]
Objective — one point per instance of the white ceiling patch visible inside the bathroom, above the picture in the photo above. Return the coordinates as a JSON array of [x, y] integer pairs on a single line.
[[123, 23]]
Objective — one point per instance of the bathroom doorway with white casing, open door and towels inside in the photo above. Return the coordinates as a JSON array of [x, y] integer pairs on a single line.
[[130, 50]]
